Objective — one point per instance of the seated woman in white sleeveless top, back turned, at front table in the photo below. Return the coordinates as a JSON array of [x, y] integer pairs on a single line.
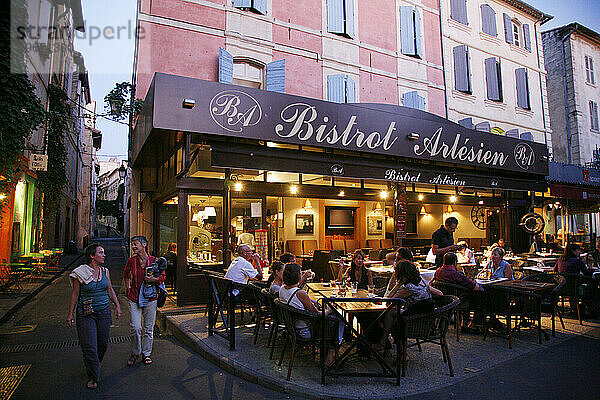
[[294, 296]]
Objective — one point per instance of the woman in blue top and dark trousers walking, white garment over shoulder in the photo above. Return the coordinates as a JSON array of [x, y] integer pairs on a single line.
[[90, 298]]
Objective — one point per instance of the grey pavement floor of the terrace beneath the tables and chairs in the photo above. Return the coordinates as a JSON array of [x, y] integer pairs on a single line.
[[426, 370]]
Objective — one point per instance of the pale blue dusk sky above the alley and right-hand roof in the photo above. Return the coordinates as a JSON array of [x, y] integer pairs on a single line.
[[110, 60]]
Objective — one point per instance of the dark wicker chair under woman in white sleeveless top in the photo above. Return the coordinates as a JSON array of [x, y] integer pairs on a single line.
[[313, 322]]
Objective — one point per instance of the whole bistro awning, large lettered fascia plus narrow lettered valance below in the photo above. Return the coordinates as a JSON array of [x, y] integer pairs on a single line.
[[414, 146]]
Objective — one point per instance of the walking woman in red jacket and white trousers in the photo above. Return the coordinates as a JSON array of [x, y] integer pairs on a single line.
[[135, 274]]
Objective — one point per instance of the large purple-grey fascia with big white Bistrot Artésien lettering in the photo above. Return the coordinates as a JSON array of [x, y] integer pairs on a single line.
[[375, 128]]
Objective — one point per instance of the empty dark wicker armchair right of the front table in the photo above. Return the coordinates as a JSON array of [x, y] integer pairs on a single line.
[[427, 327]]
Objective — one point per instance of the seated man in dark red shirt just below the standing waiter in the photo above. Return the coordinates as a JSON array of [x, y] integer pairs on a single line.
[[450, 274]]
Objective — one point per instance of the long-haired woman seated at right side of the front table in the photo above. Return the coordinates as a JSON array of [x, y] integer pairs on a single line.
[[416, 293]]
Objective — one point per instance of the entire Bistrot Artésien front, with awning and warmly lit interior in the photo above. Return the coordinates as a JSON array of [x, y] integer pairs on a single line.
[[224, 165]]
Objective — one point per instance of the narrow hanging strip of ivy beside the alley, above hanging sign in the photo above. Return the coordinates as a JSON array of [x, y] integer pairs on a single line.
[[52, 181]]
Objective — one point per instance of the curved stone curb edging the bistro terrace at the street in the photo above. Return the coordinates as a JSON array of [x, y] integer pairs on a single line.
[[237, 369]]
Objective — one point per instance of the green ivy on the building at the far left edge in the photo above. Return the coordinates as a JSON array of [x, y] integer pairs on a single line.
[[21, 111]]
